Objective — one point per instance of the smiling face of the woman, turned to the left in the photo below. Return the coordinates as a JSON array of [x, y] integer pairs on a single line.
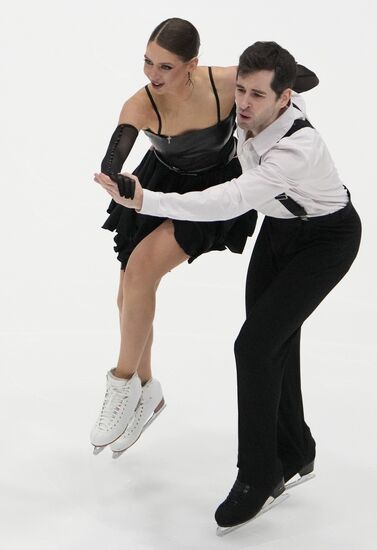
[[165, 70]]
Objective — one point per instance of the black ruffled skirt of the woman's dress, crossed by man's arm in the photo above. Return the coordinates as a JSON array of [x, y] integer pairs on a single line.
[[194, 238]]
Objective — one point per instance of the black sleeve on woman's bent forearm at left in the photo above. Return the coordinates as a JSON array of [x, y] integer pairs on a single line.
[[119, 148]]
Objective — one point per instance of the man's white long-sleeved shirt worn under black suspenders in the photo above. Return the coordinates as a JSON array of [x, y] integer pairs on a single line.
[[298, 165]]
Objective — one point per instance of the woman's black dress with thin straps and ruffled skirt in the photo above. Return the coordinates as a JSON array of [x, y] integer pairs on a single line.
[[192, 161]]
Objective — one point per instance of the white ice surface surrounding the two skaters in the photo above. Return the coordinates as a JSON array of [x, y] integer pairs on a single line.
[[66, 69]]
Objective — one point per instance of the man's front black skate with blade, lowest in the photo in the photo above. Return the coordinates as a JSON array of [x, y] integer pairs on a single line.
[[245, 503]]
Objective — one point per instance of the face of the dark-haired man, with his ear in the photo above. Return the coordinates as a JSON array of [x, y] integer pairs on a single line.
[[257, 104]]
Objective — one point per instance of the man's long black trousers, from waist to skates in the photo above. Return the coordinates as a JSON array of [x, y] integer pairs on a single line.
[[294, 265]]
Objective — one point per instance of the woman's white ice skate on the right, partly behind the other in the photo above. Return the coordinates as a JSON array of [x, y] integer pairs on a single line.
[[151, 404]]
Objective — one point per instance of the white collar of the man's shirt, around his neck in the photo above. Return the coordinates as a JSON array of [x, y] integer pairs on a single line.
[[275, 131]]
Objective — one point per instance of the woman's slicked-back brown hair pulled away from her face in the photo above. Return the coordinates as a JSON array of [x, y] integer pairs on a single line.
[[178, 36]]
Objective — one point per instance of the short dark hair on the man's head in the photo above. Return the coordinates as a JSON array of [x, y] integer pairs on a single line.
[[269, 56]]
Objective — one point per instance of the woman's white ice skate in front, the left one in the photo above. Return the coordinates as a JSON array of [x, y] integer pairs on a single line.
[[121, 399]]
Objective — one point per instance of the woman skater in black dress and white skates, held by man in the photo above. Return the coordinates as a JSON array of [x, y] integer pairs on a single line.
[[188, 113]]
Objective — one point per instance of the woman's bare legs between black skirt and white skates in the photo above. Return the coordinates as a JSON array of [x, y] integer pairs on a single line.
[[155, 256]]
